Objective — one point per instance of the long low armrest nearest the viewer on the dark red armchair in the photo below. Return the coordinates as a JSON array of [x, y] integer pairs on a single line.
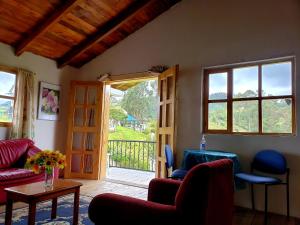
[[117, 209]]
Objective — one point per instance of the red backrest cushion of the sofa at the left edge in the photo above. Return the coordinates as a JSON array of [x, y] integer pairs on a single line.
[[12, 150]]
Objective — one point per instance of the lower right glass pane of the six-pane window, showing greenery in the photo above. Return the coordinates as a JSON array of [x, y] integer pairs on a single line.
[[277, 116]]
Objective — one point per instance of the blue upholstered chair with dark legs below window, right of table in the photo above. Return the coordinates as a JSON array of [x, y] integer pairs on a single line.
[[270, 162]]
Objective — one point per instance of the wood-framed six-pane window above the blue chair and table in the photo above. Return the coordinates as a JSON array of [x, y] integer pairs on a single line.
[[252, 99]]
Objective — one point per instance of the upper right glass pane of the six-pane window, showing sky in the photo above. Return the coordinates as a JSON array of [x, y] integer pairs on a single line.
[[277, 79]]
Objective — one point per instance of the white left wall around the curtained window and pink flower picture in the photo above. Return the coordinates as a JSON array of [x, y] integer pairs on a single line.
[[48, 134]]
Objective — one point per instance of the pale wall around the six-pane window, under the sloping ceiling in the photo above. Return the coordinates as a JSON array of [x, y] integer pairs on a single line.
[[201, 33]]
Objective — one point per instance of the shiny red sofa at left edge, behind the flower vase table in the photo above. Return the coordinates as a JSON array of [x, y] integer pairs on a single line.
[[13, 155]]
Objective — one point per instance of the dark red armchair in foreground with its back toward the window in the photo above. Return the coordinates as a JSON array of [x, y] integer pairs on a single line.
[[204, 197]]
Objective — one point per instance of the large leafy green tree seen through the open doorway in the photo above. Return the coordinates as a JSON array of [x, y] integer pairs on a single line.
[[141, 101]]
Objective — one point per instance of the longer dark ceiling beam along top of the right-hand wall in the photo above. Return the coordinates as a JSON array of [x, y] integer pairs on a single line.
[[105, 30]]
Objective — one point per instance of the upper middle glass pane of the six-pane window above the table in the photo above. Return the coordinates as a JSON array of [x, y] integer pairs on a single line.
[[245, 82]]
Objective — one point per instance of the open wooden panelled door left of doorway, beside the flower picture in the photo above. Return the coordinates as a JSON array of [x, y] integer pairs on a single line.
[[86, 131]]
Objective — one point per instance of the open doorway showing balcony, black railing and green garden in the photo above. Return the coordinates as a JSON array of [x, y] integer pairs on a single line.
[[132, 130]]
